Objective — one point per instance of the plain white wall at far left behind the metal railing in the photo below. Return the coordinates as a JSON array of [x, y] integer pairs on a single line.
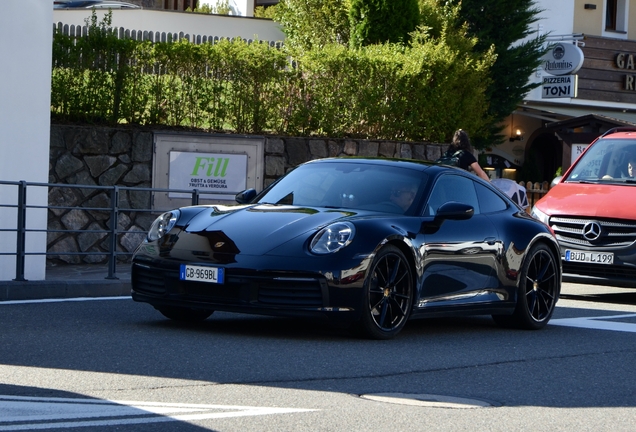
[[25, 92]]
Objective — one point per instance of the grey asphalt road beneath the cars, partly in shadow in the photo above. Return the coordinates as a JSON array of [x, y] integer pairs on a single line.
[[112, 364]]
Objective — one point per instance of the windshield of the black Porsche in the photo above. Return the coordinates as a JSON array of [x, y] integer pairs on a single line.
[[349, 185]]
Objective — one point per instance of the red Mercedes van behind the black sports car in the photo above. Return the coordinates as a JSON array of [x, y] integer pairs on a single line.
[[592, 211]]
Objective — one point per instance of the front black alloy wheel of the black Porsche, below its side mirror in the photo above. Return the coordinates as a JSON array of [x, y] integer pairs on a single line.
[[388, 295]]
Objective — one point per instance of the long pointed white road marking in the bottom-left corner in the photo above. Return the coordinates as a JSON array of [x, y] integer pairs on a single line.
[[33, 413]]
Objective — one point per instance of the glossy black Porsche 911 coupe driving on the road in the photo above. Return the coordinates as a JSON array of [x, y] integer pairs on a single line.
[[369, 242]]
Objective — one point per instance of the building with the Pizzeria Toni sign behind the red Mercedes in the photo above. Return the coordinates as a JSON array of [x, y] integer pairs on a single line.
[[569, 109]]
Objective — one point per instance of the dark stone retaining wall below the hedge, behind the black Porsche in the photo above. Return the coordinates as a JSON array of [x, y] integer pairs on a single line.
[[79, 217]]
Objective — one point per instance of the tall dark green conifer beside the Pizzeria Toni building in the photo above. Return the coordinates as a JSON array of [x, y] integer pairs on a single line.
[[504, 25]]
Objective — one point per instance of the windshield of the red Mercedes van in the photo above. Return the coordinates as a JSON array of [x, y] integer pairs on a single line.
[[606, 161]]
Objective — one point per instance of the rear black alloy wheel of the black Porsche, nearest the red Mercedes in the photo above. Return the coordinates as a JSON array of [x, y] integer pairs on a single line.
[[539, 289]]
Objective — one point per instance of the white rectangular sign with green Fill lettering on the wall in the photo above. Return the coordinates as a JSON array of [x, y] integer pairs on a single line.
[[214, 174]]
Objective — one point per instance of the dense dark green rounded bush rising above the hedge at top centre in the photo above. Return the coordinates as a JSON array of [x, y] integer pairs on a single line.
[[379, 21]]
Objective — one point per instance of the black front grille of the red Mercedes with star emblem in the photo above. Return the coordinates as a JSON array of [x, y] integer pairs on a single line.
[[614, 233]]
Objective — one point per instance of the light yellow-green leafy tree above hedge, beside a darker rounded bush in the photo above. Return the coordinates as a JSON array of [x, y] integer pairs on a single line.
[[313, 23]]
